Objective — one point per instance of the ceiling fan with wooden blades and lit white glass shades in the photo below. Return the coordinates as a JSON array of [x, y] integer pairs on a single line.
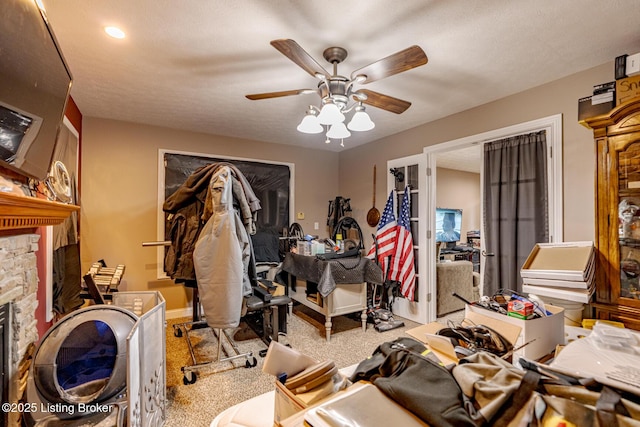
[[337, 91]]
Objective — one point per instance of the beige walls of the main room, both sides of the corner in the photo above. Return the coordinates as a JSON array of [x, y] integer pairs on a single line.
[[119, 173]]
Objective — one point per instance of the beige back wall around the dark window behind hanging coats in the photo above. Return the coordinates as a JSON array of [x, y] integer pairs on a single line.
[[119, 192]]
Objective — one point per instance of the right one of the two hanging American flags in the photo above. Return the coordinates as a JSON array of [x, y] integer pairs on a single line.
[[402, 264]]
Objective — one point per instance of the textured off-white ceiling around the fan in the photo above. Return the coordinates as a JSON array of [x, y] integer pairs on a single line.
[[188, 64]]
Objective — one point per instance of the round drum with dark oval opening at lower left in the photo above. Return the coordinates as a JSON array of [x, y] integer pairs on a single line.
[[82, 359]]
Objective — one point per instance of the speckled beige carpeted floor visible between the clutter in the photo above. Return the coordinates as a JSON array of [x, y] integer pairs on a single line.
[[220, 385]]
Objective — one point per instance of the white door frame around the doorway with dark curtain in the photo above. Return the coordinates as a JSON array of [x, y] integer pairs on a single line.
[[553, 127]]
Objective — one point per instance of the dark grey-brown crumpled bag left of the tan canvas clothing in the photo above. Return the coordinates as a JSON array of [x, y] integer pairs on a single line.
[[402, 370]]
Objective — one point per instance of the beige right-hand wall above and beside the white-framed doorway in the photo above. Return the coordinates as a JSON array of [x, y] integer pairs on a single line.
[[558, 97]]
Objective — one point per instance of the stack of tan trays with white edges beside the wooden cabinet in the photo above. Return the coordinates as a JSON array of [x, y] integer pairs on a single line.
[[561, 270]]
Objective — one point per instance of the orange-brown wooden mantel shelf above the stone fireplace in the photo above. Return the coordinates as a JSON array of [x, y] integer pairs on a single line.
[[19, 212]]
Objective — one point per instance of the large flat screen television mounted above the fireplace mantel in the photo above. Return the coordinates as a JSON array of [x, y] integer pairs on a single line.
[[34, 87]]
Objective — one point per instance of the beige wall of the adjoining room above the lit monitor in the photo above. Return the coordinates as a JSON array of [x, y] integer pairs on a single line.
[[460, 190]]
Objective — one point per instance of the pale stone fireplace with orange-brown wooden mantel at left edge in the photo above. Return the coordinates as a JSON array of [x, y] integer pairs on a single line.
[[19, 218]]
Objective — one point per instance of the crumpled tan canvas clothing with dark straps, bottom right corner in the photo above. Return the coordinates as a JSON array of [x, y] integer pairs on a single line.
[[501, 394]]
